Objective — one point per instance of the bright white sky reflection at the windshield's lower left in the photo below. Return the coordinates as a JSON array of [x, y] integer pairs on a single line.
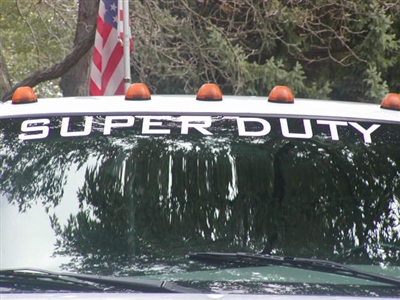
[[27, 238]]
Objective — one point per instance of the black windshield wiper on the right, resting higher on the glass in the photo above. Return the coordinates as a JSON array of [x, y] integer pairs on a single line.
[[326, 266]]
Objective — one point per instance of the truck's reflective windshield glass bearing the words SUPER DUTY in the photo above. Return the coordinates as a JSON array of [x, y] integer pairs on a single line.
[[134, 195]]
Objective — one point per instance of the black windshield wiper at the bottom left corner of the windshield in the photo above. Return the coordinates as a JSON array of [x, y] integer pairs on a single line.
[[35, 279]]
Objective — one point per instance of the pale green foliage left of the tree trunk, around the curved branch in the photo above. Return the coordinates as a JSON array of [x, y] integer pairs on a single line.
[[36, 35]]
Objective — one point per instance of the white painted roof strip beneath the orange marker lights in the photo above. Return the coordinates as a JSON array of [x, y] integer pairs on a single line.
[[187, 104]]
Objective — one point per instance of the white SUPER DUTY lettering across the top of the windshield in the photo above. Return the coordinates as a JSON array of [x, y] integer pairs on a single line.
[[161, 125]]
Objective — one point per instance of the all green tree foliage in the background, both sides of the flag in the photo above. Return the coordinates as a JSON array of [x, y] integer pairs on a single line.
[[345, 50]]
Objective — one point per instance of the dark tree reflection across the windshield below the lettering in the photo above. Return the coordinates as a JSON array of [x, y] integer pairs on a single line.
[[149, 200]]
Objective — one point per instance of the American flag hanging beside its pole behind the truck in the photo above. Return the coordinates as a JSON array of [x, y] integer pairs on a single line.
[[107, 70]]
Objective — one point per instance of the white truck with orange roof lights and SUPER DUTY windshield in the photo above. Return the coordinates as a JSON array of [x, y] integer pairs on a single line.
[[199, 196]]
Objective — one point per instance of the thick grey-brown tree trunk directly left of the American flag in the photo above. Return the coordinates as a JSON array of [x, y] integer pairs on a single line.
[[76, 81]]
